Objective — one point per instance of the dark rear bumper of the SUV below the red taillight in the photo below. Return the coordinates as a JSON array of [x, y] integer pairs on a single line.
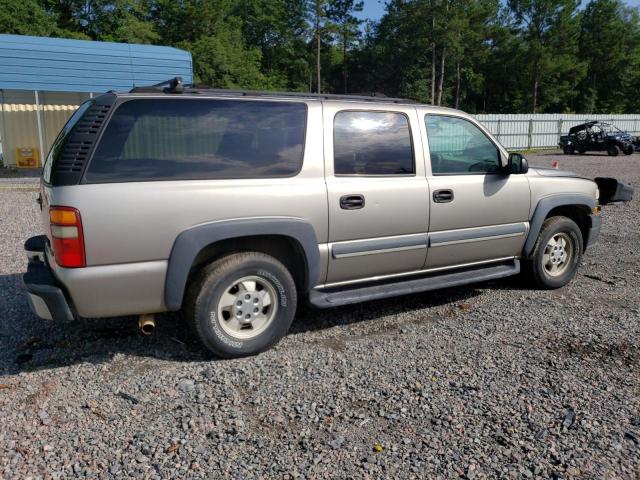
[[46, 298]]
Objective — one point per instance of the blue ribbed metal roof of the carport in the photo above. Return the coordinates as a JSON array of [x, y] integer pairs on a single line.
[[63, 65]]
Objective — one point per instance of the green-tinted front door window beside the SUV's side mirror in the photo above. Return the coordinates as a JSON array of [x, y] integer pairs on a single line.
[[457, 146]]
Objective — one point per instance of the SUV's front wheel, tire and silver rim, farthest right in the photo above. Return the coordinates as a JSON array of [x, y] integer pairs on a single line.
[[556, 254]]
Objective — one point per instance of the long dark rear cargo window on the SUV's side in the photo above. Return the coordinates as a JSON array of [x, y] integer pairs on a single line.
[[189, 139]]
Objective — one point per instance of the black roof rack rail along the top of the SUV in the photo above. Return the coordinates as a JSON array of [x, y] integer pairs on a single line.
[[175, 85]]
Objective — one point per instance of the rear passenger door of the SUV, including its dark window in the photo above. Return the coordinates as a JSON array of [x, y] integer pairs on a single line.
[[377, 191]]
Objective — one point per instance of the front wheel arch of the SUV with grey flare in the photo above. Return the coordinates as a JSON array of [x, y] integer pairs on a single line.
[[576, 206]]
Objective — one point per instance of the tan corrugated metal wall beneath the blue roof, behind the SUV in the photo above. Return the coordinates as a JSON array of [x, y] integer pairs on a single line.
[[18, 119]]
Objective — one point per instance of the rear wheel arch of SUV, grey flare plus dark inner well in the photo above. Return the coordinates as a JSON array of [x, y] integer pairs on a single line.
[[290, 240]]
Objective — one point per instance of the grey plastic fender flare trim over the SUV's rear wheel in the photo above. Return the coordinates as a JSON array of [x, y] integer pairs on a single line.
[[190, 243]]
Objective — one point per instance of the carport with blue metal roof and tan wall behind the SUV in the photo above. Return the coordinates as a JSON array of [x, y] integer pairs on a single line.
[[43, 80]]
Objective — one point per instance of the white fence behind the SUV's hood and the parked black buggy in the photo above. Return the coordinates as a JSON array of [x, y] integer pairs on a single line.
[[529, 131]]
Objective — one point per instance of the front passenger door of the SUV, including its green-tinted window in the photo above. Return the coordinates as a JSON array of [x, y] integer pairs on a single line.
[[478, 212]]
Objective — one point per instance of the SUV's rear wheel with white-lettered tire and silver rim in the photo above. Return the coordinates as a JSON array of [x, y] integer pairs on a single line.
[[241, 304]]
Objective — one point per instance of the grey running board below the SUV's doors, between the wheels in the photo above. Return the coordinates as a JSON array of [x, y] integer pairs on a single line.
[[324, 299]]
